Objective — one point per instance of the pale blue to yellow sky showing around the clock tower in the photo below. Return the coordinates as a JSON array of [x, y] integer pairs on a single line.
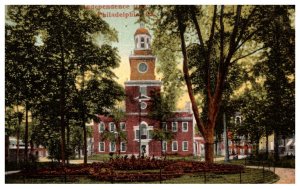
[[116, 17]]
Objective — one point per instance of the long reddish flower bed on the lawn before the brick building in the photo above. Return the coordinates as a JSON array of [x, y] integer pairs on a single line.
[[136, 170]]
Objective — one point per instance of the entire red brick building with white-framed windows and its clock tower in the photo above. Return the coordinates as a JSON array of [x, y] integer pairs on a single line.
[[142, 82]]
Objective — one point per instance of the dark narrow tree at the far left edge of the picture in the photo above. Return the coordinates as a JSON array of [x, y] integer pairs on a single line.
[[23, 77]]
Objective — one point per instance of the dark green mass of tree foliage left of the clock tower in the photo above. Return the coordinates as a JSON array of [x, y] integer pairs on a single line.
[[54, 65]]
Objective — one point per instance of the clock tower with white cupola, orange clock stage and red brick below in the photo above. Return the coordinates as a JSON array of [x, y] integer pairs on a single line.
[[142, 74]]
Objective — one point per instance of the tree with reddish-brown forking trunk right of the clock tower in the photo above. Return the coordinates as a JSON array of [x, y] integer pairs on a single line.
[[230, 29]]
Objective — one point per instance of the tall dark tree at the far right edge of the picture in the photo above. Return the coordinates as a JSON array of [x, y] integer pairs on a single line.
[[279, 71]]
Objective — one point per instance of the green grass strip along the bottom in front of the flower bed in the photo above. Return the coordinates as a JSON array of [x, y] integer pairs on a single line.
[[250, 176]]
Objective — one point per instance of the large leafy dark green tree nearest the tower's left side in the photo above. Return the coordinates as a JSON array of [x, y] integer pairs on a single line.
[[67, 42]]
